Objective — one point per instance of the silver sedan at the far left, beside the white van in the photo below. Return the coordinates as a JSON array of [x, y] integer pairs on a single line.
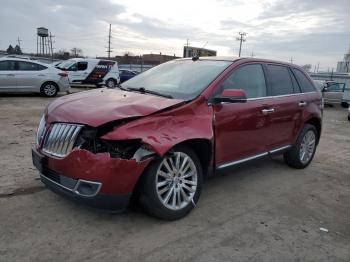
[[24, 75]]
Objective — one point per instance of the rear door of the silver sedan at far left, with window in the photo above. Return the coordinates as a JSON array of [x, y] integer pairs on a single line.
[[30, 76]]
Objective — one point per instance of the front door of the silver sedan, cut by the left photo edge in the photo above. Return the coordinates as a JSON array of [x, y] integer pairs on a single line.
[[7, 75]]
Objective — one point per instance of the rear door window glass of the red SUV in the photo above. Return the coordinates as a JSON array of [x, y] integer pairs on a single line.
[[280, 80]]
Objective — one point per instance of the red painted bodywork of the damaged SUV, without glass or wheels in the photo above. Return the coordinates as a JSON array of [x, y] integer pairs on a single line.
[[235, 130]]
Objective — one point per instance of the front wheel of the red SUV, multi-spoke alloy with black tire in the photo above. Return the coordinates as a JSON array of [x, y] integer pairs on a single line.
[[158, 200]]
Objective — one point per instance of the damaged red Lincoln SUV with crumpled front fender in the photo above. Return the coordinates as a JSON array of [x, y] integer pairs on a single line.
[[158, 134]]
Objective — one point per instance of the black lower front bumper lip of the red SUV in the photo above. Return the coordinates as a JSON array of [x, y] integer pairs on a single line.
[[116, 203]]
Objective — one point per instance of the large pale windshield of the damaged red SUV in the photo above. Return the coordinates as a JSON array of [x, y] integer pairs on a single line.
[[180, 79]]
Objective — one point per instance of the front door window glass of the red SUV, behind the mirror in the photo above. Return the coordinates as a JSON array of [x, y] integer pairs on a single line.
[[250, 78]]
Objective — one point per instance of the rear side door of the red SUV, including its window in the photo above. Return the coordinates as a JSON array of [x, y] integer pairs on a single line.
[[284, 120]]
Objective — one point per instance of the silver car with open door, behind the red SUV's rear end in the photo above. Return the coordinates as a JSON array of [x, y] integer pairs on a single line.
[[333, 92]]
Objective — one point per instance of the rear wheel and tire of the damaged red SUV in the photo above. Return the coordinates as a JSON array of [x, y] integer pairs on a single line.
[[301, 155]]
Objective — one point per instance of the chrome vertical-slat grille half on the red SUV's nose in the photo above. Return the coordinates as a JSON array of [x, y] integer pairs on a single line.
[[61, 138]]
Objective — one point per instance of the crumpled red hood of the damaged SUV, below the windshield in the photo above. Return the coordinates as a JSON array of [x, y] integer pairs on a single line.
[[100, 106]]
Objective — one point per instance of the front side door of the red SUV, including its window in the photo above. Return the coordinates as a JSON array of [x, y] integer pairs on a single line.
[[241, 129]]
